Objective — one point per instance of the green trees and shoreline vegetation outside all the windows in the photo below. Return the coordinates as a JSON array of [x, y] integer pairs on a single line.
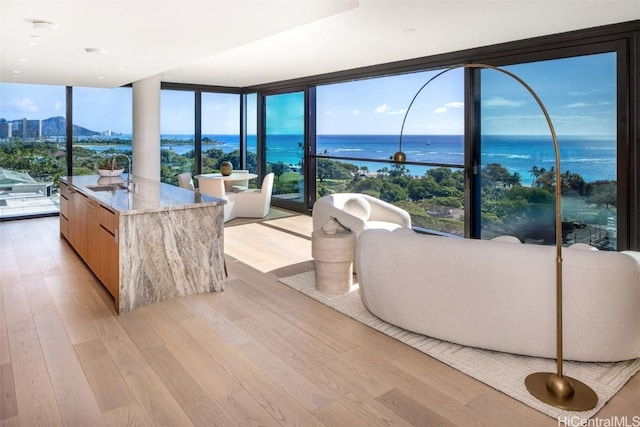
[[435, 200]]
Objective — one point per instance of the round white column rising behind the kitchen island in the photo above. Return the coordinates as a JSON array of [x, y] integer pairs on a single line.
[[146, 128]]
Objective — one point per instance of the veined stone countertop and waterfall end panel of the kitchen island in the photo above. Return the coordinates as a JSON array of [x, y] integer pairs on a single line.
[[170, 239]]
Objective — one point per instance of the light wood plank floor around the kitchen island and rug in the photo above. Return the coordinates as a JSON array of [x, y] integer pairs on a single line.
[[258, 353]]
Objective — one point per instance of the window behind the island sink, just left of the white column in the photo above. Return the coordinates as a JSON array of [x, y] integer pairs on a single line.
[[103, 125]]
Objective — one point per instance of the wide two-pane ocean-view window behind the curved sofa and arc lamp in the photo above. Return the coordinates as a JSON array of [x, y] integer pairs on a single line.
[[507, 148]]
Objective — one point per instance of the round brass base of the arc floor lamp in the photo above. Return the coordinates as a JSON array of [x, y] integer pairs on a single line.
[[562, 392]]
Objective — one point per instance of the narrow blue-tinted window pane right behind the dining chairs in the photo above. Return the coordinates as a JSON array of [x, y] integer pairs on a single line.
[[284, 130]]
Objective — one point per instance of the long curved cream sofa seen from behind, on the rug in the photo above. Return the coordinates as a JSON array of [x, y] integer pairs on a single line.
[[502, 296]]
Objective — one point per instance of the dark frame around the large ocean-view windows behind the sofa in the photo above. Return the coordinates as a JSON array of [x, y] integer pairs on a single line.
[[621, 38]]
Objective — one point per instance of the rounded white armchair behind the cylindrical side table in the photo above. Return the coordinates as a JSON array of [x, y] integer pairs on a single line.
[[359, 212]]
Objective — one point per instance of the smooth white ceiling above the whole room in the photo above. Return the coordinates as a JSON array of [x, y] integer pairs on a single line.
[[249, 42]]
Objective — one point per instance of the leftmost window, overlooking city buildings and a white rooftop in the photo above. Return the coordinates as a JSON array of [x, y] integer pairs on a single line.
[[32, 148]]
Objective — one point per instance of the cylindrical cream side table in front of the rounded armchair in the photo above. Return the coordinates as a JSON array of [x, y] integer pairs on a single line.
[[333, 255]]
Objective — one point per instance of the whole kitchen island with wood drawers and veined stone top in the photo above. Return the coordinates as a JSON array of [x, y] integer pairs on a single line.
[[147, 242]]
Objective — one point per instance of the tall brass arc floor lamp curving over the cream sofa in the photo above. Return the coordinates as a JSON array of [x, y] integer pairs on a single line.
[[555, 389]]
